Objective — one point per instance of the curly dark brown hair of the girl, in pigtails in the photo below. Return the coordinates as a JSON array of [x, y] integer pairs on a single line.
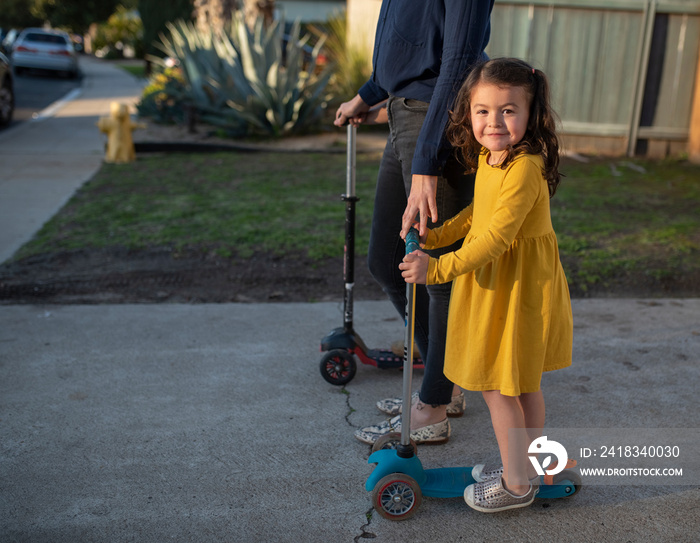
[[540, 137]]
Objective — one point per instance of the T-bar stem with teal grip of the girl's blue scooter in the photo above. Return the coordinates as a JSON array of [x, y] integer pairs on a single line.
[[405, 449]]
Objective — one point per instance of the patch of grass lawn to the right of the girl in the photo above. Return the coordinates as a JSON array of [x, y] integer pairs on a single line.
[[621, 218]]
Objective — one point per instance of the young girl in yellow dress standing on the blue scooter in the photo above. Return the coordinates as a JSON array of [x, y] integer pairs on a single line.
[[510, 312]]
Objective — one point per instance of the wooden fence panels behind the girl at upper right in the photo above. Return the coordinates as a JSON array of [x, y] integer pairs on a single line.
[[622, 71]]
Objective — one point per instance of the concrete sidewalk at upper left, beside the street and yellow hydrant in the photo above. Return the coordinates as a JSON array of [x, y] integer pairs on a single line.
[[45, 160]]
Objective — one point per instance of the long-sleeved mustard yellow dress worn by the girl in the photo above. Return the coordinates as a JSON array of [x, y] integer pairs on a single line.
[[510, 312]]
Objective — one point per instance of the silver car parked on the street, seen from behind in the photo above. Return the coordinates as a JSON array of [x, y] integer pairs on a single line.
[[46, 50]]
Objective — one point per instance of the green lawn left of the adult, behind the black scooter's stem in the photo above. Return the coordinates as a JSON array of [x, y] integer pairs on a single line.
[[232, 203]]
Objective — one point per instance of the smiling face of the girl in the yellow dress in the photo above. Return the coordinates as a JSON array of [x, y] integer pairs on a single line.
[[499, 117]]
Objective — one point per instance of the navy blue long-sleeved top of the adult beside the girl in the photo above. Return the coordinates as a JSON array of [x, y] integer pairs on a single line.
[[423, 50]]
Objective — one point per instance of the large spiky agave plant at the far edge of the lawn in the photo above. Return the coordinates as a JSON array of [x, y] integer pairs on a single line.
[[251, 80]]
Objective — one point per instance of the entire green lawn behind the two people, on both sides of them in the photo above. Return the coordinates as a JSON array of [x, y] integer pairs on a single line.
[[617, 220]]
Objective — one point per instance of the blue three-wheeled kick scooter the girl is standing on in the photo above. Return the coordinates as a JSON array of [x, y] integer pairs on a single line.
[[399, 481]]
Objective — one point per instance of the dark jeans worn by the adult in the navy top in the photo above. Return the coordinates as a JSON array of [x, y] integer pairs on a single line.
[[386, 248]]
